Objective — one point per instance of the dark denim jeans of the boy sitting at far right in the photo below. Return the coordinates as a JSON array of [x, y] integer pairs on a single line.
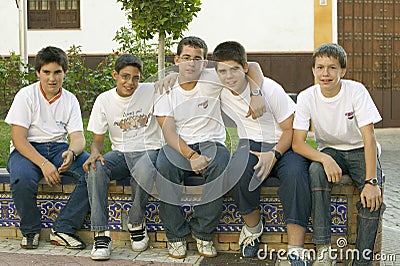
[[352, 162]]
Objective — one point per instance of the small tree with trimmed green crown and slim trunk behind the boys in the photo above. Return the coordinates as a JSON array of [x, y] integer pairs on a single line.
[[164, 18]]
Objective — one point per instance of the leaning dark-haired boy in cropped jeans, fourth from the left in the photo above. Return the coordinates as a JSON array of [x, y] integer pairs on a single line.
[[264, 150]]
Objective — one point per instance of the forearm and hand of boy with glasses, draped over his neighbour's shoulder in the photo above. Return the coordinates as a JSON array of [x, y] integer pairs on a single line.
[[255, 77]]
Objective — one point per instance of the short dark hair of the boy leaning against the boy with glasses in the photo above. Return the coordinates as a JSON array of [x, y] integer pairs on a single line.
[[230, 50]]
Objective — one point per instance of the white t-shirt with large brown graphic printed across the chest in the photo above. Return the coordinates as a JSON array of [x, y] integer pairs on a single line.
[[129, 120]]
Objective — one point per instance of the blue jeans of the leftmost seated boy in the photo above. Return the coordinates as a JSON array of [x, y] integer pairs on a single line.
[[24, 179]]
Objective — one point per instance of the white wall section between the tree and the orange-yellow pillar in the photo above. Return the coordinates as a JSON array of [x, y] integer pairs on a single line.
[[260, 25]]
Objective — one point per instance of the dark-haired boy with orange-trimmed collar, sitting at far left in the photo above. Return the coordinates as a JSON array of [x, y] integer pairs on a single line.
[[43, 116]]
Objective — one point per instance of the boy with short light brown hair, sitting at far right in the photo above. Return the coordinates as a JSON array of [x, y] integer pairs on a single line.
[[343, 115]]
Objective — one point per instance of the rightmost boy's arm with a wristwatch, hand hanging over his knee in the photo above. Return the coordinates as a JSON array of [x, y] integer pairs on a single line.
[[371, 196]]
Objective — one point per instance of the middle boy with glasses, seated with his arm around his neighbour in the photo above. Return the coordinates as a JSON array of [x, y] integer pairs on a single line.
[[190, 118]]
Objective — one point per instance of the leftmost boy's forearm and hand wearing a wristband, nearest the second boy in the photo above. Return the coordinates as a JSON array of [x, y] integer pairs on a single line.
[[76, 146]]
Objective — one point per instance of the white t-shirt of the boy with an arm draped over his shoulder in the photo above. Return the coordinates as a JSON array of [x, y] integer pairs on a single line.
[[266, 128]]
